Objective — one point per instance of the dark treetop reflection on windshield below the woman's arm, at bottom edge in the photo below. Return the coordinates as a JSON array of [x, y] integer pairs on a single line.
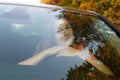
[[87, 72]]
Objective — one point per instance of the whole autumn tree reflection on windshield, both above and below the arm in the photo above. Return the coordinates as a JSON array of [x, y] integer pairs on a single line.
[[86, 32]]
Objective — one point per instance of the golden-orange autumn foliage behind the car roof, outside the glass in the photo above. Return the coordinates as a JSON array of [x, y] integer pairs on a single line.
[[108, 8]]
